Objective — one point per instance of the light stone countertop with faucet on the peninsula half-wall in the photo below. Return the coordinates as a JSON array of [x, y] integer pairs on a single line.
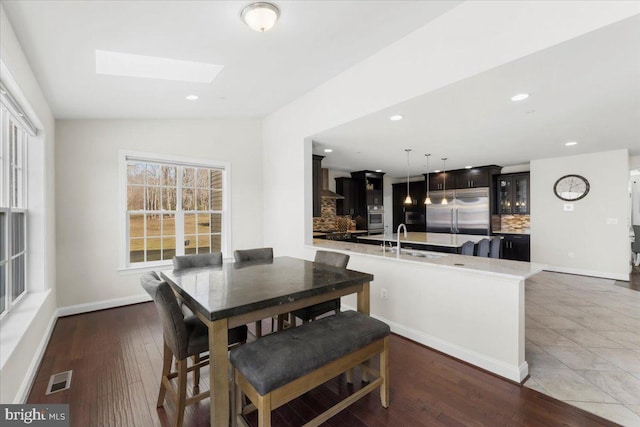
[[488, 266]]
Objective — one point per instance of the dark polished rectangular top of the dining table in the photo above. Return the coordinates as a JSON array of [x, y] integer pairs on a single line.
[[233, 289]]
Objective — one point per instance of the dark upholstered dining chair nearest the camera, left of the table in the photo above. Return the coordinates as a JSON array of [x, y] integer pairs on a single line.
[[182, 338]]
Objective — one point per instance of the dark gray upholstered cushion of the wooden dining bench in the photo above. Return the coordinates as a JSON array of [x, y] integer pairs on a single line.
[[277, 359]]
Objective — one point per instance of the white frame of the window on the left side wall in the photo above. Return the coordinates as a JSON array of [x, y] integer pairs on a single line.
[[10, 202]]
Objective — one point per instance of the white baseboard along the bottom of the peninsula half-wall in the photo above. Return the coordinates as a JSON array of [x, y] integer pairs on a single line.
[[512, 372]]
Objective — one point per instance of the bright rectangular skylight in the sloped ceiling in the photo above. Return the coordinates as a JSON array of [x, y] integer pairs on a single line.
[[151, 67]]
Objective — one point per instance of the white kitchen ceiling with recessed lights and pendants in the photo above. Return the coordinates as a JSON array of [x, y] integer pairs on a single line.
[[585, 90]]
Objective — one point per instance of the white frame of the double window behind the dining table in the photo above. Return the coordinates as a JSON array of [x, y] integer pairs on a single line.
[[124, 156]]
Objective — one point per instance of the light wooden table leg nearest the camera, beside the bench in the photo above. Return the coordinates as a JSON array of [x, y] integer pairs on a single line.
[[219, 372]]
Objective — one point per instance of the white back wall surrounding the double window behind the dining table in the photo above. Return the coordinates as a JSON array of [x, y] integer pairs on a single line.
[[87, 193]]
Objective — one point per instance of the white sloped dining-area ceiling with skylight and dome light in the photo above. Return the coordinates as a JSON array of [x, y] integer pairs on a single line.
[[312, 42]]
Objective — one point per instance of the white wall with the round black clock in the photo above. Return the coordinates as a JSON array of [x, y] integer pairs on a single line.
[[581, 241]]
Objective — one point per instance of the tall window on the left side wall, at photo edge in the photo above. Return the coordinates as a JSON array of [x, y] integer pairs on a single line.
[[13, 209]]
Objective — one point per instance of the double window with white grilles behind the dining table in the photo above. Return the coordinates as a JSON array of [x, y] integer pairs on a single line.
[[173, 208]]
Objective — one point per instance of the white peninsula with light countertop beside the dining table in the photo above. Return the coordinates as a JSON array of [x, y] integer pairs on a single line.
[[471, 308]]
